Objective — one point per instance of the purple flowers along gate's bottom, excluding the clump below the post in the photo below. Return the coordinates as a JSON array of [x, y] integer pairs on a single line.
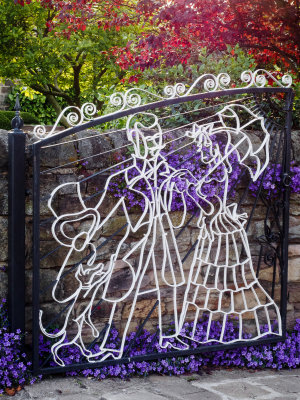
[[284, 354]]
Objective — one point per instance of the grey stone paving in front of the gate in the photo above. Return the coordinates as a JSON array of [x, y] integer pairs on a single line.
[[220, 385]]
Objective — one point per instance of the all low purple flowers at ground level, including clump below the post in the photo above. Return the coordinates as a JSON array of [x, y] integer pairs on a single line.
[[15, 367]]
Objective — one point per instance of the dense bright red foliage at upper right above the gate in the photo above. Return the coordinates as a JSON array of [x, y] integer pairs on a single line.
[[268, 29]]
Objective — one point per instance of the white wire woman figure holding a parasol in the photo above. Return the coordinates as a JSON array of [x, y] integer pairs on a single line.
[[222, 284]]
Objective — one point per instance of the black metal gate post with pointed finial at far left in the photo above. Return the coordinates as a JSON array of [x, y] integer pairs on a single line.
[[16, 223]]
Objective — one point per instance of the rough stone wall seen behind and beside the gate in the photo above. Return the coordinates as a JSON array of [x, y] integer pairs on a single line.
[[67, 201]]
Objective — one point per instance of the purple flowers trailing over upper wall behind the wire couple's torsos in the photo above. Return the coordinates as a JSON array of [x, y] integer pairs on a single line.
[[270, 181]]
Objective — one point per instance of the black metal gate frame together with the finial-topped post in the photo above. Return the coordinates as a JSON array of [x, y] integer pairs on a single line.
[[17, 225]]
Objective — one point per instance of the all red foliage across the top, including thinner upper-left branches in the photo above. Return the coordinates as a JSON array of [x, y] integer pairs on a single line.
[[175, 30]]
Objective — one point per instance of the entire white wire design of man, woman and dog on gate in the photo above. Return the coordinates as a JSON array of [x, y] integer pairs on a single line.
[[221, 268]]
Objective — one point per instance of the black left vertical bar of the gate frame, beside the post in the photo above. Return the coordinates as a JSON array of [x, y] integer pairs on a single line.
[[36, 260]]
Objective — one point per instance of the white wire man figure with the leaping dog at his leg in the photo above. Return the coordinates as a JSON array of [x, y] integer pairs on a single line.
[[96, 279]]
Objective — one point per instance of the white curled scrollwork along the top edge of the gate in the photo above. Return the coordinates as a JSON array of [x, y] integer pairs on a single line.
[[135, 97]]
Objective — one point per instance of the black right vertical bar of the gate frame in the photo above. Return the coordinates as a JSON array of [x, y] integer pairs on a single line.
[[286, 209]]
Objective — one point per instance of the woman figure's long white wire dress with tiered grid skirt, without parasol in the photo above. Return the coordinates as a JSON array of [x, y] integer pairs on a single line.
[[222, 284]]
